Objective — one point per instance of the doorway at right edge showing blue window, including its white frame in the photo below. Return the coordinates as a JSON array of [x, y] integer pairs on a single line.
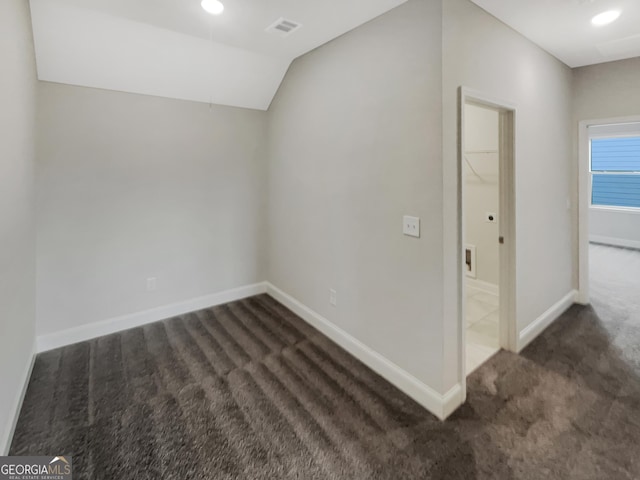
[[609, 202]]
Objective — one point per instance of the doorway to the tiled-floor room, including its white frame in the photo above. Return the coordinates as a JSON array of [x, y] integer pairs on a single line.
[[486, 226]]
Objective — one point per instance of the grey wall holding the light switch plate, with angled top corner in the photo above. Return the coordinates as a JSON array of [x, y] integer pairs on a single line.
[[355, 144]]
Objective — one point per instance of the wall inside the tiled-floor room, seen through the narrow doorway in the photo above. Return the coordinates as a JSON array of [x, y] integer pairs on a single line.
[[482, 193]]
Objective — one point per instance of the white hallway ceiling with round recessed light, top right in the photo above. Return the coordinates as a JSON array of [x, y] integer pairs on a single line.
[[563, 27]]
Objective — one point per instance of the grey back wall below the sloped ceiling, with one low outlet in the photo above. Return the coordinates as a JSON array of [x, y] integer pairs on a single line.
[[131, 187]]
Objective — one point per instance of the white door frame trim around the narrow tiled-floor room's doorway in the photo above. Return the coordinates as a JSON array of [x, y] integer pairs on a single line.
[[507, 283]]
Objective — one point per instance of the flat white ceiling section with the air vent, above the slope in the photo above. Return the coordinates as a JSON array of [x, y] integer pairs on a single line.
[[243, 22]]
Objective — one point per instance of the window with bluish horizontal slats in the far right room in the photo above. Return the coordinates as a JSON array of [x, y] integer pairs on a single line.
[[615, 170]]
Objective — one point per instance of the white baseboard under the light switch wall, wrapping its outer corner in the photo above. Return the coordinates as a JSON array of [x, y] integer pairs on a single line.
[[440, 405]]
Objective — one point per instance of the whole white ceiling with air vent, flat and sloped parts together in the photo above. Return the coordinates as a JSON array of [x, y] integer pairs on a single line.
[[172, 48]]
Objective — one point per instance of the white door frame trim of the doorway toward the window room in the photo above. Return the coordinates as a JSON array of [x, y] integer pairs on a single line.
[[584, 190]]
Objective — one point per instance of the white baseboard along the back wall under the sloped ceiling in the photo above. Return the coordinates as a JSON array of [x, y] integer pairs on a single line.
[[124, 322]]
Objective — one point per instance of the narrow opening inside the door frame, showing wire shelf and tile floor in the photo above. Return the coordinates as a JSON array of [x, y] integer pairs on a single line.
[[481, 220]]
